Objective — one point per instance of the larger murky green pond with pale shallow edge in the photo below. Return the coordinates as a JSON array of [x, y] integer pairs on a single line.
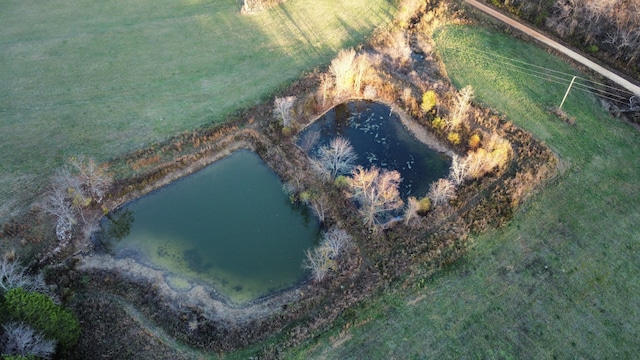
[[229, 225]]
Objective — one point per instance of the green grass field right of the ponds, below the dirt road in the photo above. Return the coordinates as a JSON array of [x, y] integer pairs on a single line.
[[563, 279]]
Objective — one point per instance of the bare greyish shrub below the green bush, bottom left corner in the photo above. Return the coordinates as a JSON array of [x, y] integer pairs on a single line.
[[20, 339]]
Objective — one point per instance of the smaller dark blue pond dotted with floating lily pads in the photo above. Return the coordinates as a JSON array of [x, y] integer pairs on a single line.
[[379, 138]]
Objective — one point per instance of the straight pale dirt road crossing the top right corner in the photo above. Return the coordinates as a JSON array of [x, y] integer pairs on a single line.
[[557, 46]]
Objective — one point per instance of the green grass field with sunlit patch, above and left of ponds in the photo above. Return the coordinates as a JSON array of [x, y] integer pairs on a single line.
[[101, 78]]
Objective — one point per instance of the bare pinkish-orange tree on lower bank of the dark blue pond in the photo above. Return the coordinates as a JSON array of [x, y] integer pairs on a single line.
[[376, 192]]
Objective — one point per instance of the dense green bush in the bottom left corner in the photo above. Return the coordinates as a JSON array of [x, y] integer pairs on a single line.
[[42, 314]]
